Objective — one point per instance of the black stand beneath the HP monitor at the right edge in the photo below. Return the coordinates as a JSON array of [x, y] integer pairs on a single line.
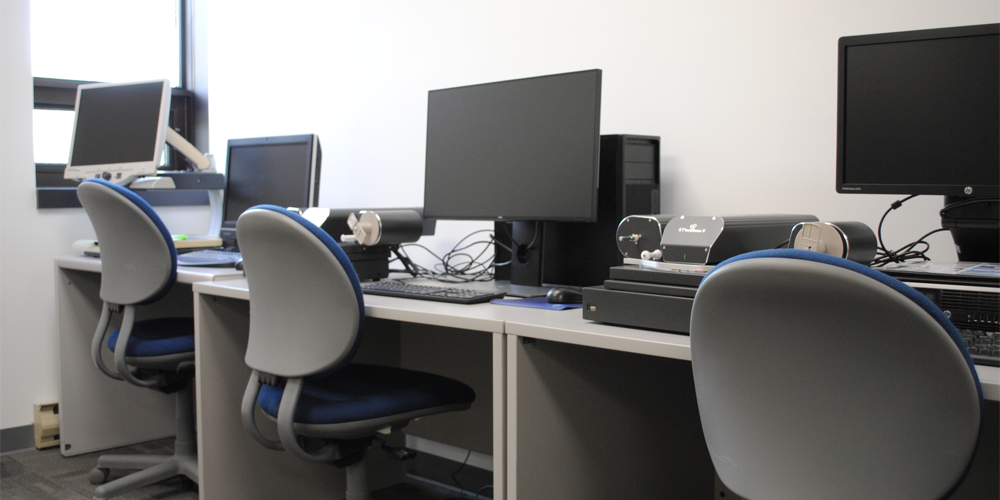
[[975, 228]]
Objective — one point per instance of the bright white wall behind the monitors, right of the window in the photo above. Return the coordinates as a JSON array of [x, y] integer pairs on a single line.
[[743, 93]]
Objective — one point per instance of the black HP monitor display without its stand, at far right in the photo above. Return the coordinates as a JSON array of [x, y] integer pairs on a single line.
[[919, 112]]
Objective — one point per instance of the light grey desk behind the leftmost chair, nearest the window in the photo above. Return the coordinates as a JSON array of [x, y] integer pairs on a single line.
[[97, 412]]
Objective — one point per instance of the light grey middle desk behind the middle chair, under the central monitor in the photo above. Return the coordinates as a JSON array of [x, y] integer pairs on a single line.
[[396, 333]]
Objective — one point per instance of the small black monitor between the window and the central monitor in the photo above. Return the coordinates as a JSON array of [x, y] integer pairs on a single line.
[[281, 171]]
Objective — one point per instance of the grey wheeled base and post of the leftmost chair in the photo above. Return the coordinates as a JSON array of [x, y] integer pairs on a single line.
[[154, 468]]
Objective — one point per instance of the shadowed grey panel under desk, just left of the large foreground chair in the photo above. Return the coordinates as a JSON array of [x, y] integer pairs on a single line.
[[593, 424]]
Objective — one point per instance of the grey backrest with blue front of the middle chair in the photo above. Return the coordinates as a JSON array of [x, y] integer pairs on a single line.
[[306, 309]]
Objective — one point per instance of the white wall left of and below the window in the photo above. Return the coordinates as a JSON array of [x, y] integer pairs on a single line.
[[29, 337]]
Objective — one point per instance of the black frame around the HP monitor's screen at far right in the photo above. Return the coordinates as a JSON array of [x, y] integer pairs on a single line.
[[901, 187]]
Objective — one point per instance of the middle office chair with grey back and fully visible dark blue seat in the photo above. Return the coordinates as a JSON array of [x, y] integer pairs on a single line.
[[306, 322]]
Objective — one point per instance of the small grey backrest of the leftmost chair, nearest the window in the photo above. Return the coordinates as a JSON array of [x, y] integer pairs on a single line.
[[138, 258]]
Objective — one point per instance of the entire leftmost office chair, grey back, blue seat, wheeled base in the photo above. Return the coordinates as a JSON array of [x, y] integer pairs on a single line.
[[138, 266]]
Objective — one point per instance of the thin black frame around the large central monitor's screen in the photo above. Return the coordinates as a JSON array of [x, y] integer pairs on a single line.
[[592, 217]]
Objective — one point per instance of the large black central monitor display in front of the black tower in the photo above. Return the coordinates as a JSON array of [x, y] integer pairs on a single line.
[[518, 150]]
